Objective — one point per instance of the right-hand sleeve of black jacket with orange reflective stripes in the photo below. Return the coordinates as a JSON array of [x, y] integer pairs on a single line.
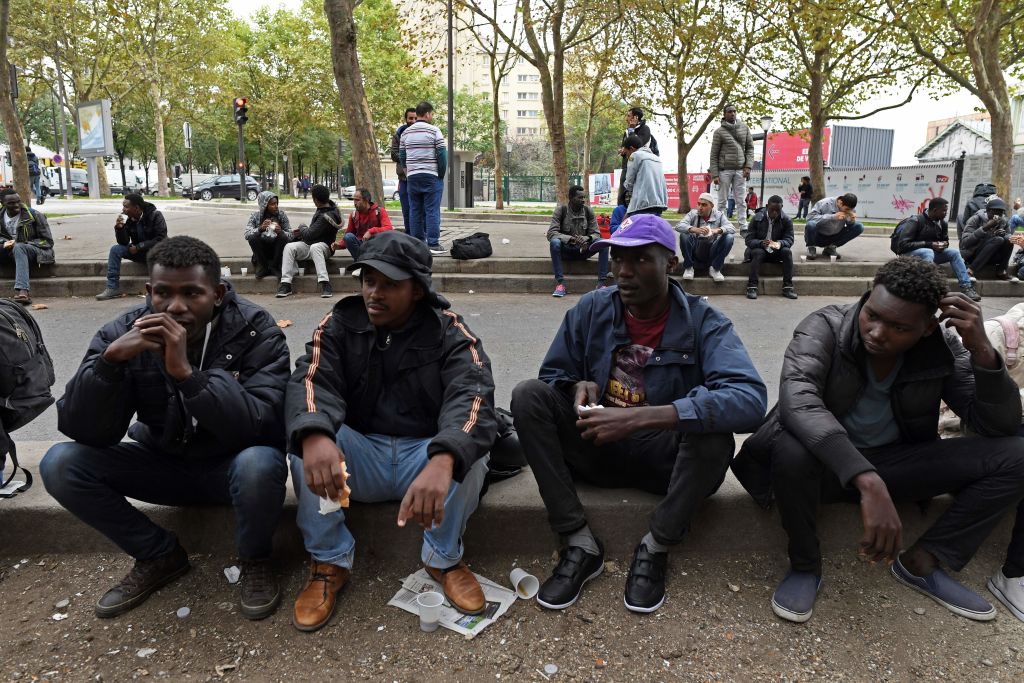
[[467, 425]]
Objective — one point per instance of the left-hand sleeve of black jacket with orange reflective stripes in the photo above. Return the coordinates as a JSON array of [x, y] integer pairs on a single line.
[[315, 401]]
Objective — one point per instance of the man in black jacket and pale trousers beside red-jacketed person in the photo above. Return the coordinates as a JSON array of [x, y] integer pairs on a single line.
[[313, 242]]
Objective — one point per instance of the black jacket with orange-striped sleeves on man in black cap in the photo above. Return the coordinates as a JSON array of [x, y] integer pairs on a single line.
[[430, 380]]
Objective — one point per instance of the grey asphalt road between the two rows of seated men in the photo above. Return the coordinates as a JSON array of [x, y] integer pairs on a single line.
[[516, 330]]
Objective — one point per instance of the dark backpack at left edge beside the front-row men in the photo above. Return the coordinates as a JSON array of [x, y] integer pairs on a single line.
[[26, 378]]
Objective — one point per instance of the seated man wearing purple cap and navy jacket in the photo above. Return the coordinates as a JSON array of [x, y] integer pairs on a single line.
[[644, 387]]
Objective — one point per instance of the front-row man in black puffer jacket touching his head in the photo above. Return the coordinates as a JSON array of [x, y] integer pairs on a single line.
[[858, 421]]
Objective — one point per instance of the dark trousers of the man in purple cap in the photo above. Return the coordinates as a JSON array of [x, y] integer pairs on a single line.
[[685, 468]]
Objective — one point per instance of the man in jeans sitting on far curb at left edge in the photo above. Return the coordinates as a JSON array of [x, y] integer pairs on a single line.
[[27, 239]]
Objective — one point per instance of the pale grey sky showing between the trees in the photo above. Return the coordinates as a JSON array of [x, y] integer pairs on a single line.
[[909, 121]]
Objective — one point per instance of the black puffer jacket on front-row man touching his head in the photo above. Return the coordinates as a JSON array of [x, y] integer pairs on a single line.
[[824, 378]]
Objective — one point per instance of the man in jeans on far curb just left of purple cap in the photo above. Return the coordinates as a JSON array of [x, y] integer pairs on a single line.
[[573, 231]]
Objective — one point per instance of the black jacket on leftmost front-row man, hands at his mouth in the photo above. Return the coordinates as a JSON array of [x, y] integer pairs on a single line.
[[237, 398]]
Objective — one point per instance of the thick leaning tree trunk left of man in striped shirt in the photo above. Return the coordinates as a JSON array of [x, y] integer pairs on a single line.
[[346, 60]]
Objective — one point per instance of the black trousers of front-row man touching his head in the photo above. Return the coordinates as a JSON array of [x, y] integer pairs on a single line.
[[987, 476]]
